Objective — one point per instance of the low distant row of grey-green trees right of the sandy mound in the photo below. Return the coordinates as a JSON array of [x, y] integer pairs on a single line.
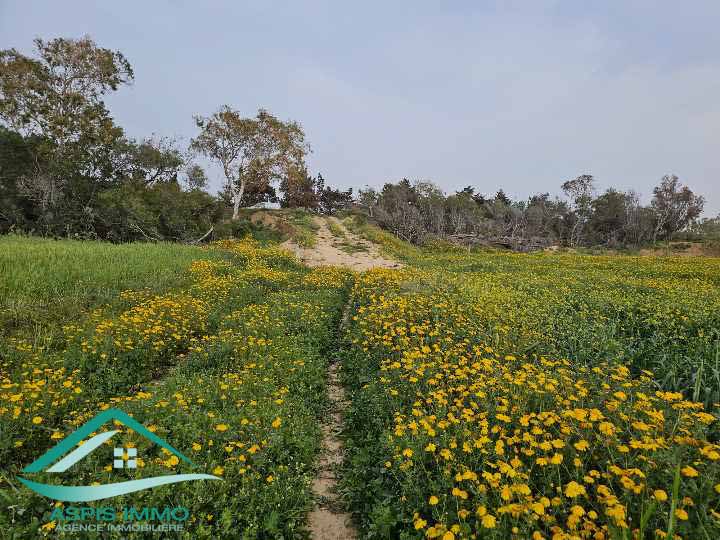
[[419, 210]]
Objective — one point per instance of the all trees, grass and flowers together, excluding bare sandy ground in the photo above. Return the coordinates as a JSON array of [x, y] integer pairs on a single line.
[[567, 393]]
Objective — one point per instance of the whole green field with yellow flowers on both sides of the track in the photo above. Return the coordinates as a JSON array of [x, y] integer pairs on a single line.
[[491, 395]]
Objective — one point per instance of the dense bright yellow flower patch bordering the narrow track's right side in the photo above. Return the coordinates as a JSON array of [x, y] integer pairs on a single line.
[[478, 440]]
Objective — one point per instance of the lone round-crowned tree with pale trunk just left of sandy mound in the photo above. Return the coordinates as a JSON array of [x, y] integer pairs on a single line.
[[250, 150]]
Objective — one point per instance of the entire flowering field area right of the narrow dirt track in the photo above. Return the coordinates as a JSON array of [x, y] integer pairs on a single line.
[[510, 396]]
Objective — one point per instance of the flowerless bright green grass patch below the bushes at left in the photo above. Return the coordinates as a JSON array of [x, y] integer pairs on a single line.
[[45, 283]]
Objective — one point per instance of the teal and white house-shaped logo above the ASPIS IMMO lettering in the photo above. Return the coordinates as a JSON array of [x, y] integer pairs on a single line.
[[67, 453]]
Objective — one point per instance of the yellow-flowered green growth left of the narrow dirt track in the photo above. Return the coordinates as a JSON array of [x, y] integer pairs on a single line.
[[229, 365]]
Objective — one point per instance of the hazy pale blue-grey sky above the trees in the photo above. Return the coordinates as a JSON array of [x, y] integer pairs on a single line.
[[495, 94]]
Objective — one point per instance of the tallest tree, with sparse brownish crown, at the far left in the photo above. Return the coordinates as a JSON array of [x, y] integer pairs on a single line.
[[58, 99]]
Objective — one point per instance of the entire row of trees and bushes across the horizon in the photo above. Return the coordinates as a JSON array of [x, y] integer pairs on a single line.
[[68, 169]]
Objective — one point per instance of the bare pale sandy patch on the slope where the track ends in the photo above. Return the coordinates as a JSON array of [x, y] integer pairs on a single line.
[[347, 249]]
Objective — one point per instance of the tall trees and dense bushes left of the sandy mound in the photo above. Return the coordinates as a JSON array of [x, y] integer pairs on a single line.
[[67, 169]]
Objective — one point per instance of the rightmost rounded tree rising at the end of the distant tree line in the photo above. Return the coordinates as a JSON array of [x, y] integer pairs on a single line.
[[675, 206]]
